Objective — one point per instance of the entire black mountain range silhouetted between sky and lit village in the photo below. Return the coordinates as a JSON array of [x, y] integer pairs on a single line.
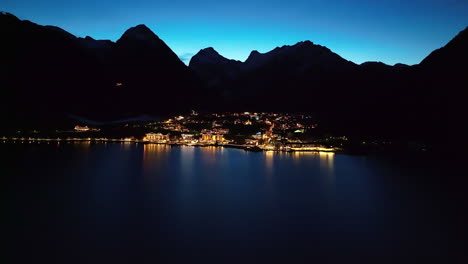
[[47, 73]]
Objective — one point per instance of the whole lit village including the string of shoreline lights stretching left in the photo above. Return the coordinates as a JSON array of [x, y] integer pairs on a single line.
[[249, 131]]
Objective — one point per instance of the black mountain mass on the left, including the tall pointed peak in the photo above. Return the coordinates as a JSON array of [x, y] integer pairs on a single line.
[[47, 73]]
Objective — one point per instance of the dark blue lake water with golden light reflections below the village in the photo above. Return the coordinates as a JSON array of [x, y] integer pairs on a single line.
[[114, 202]]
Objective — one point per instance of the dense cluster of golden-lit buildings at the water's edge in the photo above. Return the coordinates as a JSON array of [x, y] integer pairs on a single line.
[[267, 131]]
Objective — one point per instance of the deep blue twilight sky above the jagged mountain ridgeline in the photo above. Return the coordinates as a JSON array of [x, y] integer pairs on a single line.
[[390, 31]]
